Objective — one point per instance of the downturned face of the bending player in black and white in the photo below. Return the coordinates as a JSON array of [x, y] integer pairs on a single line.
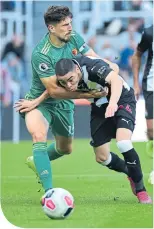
[[71, 80]]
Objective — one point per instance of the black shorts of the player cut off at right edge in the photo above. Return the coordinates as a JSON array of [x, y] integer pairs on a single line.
[[148, 96]]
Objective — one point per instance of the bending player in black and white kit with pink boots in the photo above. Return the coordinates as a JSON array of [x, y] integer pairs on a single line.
[[112, 116]]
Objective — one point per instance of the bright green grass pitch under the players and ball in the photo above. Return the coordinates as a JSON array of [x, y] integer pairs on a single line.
[[103, 198]]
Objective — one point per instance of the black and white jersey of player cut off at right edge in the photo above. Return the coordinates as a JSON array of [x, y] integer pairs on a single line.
[[146, 44]]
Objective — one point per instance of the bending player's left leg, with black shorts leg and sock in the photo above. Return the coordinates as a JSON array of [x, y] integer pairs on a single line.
[[102, 131]]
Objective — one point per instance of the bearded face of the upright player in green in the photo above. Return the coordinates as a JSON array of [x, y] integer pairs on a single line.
[[63, 29]]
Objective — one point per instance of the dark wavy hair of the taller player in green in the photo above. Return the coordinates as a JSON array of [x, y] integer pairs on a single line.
[[56, 14]]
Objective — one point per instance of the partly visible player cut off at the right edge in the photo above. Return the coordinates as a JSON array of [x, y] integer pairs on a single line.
[[146, 44]]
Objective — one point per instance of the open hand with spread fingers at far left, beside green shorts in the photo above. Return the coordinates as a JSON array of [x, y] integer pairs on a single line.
[[24, 105]]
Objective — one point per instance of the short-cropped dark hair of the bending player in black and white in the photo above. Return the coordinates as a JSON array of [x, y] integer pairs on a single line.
[[64, 66]]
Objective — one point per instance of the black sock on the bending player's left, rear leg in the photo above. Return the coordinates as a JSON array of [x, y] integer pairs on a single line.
[[117, 164]]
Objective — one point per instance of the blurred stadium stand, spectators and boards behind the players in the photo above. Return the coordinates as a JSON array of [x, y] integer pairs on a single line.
[[112, 28]]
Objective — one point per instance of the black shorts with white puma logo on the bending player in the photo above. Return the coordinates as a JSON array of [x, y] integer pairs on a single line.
[[104, 129]]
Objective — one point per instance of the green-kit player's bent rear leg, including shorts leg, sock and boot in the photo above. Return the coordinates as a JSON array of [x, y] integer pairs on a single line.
[[63, 129]]
